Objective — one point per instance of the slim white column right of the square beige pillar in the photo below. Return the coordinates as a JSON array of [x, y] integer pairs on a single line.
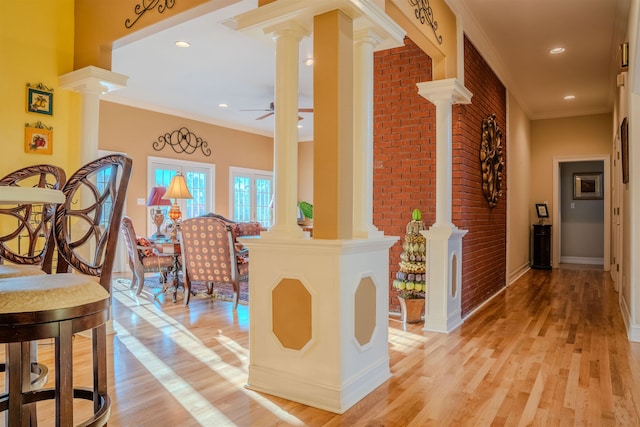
[[364, 43]]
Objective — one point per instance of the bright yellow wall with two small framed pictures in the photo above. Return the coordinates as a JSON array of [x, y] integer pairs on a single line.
[[37, 46]]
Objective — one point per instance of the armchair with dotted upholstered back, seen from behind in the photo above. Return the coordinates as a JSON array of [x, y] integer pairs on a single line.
[[209, 255]]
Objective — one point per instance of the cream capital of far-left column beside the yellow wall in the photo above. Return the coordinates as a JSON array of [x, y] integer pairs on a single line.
[[93, 80]]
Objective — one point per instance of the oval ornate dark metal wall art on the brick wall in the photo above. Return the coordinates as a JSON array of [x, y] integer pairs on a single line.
[[491, 160]]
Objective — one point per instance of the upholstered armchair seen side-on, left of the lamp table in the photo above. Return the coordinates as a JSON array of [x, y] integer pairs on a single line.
[[142, 259]]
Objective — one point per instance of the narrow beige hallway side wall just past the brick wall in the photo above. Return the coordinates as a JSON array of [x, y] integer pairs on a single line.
[[518, 183]]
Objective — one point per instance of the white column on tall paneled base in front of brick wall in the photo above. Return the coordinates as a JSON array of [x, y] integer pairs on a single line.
[[444, 240]]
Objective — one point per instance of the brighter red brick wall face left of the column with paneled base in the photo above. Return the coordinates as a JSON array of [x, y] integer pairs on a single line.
[[404, 146]]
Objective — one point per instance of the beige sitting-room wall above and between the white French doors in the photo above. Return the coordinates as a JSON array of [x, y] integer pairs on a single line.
[[133, 131]]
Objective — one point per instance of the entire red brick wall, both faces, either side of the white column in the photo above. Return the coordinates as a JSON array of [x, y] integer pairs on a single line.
[[404, 164]]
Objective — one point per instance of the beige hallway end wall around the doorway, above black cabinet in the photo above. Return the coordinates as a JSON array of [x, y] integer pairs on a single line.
[[564, 137]]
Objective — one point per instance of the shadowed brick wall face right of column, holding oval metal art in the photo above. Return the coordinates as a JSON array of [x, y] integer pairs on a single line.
[[484, 246]]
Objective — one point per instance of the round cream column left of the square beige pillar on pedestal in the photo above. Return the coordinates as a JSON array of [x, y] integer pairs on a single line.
[[287, 36]]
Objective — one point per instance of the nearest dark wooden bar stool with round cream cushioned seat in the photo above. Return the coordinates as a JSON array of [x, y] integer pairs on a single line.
[[59, 305]]
